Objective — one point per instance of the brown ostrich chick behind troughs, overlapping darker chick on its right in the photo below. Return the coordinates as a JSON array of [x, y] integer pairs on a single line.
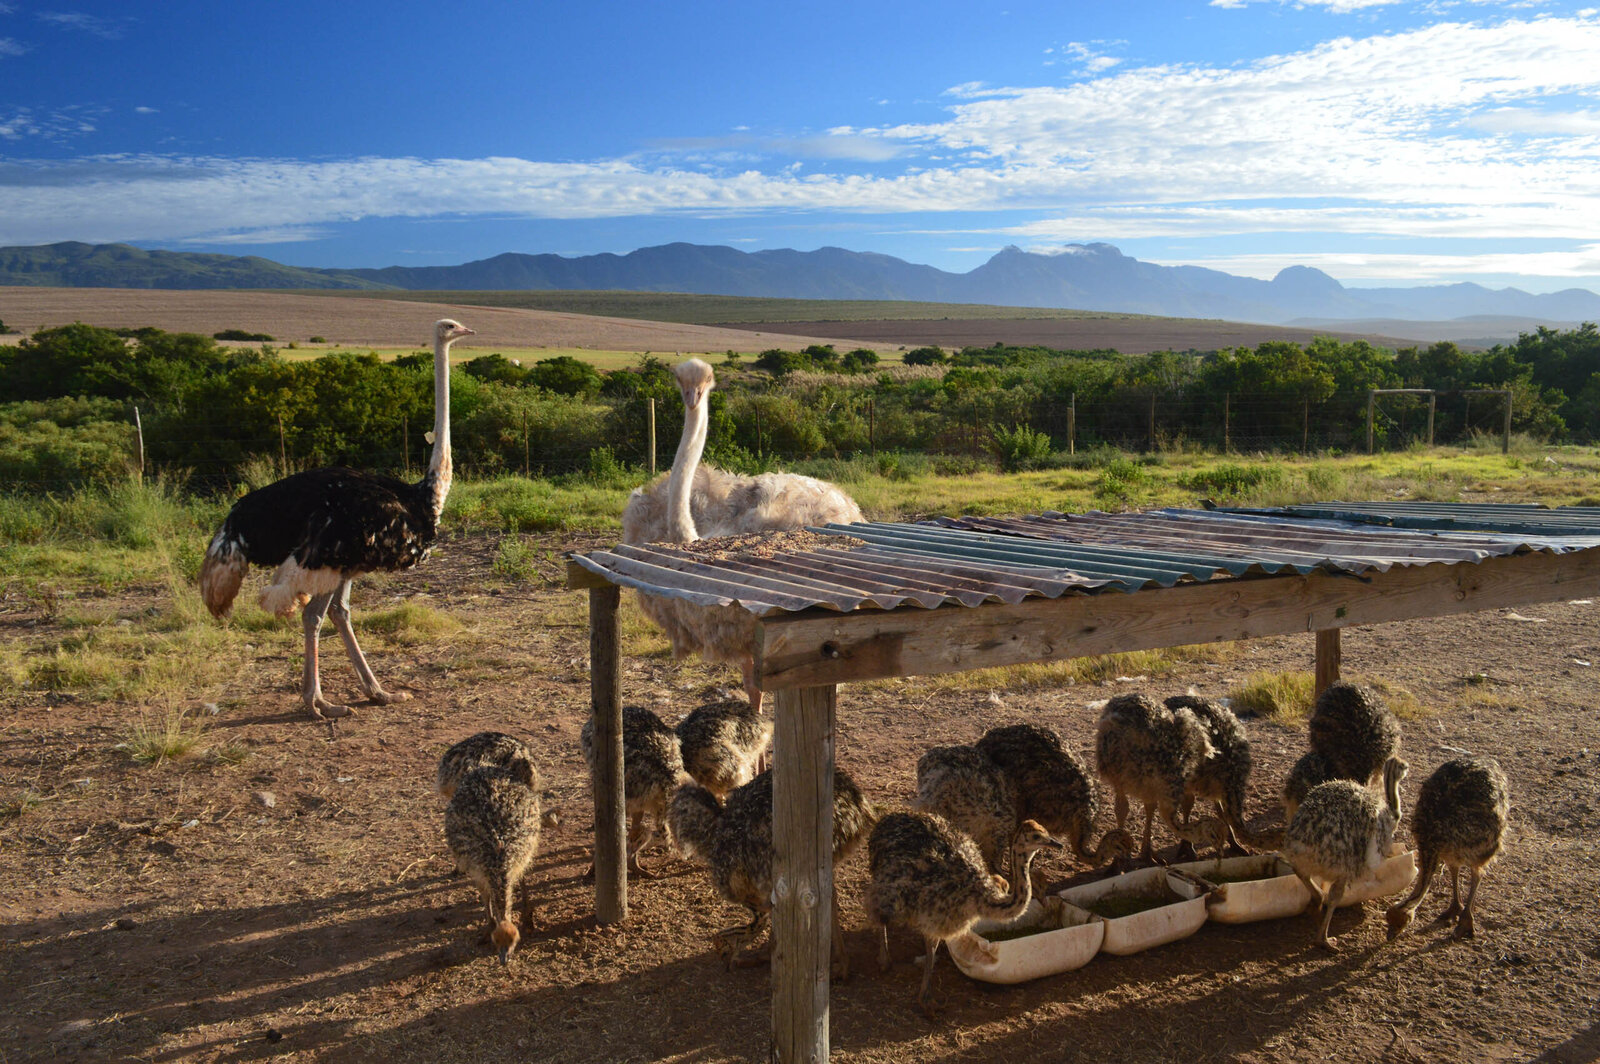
[[1150, 753]]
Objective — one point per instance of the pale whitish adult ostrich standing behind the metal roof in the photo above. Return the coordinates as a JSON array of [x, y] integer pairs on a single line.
[[700, 502]]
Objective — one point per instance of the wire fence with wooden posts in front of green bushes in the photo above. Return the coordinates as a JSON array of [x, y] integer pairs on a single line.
[[218, 454]]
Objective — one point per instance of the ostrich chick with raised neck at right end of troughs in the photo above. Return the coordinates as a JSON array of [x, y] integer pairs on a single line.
[[1342, 833]]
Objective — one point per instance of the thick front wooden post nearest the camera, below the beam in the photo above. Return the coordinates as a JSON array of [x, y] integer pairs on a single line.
[[802, 873]]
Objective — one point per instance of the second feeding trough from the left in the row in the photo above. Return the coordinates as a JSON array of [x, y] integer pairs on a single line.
[[1142, 910]]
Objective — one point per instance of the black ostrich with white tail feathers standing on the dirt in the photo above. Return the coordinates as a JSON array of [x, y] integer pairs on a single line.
[[326, 527]]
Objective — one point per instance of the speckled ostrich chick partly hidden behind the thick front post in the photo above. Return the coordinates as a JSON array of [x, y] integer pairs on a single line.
[[735, 841]]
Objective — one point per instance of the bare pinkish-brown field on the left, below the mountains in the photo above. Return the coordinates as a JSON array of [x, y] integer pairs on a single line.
[[377, 322]]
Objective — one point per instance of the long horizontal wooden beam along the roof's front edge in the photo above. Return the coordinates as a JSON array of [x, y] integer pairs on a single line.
[[820, 647]]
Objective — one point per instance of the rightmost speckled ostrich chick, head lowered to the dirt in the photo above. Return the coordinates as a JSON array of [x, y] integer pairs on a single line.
[[1460, 820]]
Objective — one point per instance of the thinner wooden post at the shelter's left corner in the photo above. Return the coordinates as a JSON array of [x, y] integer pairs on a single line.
[[606, 705]]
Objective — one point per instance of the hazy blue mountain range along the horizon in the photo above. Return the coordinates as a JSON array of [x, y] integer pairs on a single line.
[[1079, 278]]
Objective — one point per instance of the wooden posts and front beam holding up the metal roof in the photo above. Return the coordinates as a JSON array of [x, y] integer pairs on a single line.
[[804, 657]]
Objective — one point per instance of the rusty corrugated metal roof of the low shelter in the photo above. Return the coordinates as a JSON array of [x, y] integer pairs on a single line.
[[972, 561]]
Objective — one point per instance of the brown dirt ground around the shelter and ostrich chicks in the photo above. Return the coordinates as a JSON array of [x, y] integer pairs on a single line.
[[170, 914]]
